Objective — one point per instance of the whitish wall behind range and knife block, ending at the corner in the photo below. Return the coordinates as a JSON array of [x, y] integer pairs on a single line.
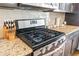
[[6, 14]]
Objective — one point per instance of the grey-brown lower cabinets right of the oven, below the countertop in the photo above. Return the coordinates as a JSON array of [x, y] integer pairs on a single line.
[[71, 43]]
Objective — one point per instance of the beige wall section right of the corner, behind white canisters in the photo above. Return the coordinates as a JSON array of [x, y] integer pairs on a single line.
[[54, 15]]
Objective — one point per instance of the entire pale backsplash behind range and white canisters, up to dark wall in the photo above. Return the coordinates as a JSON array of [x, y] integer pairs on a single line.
[[7, 14]]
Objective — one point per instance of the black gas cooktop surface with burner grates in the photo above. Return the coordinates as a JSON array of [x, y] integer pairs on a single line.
[[38, 37]]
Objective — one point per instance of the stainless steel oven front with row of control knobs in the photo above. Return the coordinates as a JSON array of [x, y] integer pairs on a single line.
[[52, 48]]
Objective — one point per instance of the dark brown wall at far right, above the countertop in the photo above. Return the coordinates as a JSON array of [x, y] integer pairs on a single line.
[[72, 19]]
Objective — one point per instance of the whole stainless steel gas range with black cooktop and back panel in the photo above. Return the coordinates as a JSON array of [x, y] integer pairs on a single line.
[[43, 41]]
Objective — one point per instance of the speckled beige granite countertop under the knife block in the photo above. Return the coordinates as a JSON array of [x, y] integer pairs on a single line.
[[14, 48]]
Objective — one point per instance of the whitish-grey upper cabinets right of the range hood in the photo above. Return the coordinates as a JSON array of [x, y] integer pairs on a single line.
[[63, 7]]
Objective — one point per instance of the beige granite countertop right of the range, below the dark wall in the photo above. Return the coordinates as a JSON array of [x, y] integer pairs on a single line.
[[67, 29]]
